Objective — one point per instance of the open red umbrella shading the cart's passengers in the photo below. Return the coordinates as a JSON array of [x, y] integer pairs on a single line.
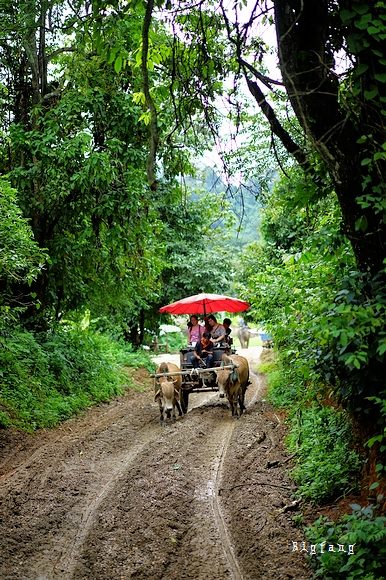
[[205, 304]]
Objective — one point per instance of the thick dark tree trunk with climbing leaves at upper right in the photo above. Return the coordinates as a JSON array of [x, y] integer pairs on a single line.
[[347, 129]]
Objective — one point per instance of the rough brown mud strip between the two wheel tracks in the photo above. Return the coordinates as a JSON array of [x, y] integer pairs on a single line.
[[157, 513]]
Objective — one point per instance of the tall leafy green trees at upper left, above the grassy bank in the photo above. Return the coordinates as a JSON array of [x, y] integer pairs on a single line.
[[82, 83]]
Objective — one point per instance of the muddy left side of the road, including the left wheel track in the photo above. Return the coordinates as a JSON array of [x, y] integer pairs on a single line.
[[61, 485]]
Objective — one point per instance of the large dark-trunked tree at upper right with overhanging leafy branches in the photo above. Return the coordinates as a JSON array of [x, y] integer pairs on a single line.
[[341, 112]]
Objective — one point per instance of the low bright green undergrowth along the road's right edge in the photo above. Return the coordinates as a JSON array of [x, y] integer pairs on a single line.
[[320, 436]]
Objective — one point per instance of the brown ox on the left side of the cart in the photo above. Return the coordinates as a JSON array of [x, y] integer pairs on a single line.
[[168, 391]]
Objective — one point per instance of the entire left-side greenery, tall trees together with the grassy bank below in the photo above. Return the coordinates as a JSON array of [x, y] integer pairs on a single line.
[[82, 224]]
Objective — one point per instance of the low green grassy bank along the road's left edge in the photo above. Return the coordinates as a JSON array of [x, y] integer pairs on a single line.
[[46, 379]]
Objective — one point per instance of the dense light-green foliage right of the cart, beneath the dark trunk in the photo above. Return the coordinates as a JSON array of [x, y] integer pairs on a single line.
[[304, 285]]
